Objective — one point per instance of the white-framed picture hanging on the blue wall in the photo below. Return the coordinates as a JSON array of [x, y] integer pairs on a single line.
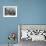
[[9, 11]]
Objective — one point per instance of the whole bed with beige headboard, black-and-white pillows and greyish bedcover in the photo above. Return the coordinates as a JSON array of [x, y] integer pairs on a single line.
[[32, 35]]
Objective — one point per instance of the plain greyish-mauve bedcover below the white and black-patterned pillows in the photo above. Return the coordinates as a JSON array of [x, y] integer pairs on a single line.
[[34, 43]]
